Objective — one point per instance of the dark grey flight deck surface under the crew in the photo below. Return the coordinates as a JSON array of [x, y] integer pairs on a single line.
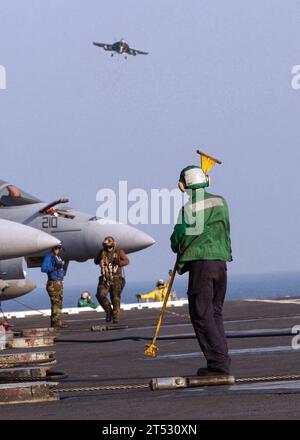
[[116, 357]]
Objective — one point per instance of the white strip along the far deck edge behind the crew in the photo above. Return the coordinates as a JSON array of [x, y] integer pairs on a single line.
[[76, 310]]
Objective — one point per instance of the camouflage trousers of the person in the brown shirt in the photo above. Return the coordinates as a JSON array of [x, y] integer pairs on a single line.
[[114, 289]]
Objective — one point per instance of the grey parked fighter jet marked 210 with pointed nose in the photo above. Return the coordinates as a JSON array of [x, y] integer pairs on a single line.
[[80, 234]]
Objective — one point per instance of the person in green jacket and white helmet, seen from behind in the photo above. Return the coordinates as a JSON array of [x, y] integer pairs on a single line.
[[201, 239]]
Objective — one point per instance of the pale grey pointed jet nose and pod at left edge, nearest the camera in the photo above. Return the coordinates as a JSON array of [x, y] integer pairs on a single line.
[[17, 240]]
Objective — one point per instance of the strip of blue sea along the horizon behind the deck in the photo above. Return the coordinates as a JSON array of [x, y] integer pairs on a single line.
[[240, 287]]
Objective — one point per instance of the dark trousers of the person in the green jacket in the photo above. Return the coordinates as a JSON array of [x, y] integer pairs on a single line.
[[206, 294]]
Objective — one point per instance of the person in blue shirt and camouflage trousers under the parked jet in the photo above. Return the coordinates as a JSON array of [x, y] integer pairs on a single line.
[[53, 266]]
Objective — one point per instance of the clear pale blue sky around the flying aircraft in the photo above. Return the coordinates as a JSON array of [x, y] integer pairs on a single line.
[[218, 77]]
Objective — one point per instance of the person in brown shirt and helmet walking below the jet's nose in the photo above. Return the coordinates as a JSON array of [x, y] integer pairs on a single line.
[[111, 261]]
